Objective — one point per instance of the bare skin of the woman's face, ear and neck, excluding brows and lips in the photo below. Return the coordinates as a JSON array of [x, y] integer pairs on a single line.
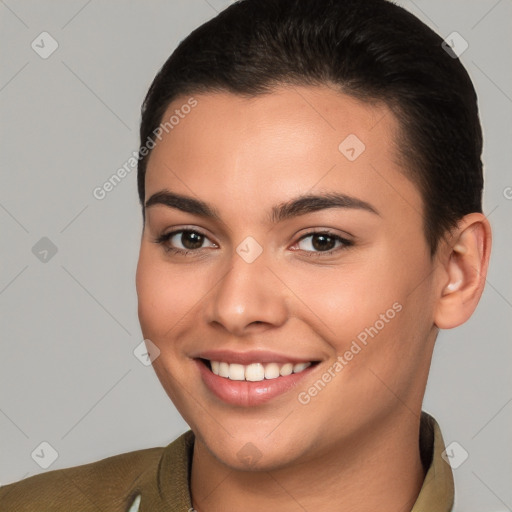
[[354, 446]]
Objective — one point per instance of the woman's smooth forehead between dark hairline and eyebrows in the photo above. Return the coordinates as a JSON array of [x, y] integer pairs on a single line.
[[233, 150]]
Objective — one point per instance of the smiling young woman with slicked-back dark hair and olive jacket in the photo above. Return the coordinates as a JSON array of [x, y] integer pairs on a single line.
[[310, 181]]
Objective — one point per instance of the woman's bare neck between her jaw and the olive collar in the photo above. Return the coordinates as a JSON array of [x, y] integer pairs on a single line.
[[381, 471]]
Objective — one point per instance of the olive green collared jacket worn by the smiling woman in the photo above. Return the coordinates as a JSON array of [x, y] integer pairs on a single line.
[[157, 480]]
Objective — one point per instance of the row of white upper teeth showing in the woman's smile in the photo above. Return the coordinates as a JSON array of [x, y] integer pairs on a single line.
[[255, 372]]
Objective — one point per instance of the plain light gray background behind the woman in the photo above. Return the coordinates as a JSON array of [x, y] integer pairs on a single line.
[[69, 325]]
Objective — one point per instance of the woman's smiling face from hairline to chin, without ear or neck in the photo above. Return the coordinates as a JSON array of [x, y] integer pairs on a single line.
[[251, 277]]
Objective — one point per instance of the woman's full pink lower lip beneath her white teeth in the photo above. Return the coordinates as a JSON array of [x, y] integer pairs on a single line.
[[246, 394]]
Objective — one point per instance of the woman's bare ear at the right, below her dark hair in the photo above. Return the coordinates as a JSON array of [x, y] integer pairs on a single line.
[[465, 262]]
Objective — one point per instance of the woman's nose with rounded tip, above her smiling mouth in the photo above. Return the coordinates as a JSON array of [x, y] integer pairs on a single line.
[[248, 298]]
